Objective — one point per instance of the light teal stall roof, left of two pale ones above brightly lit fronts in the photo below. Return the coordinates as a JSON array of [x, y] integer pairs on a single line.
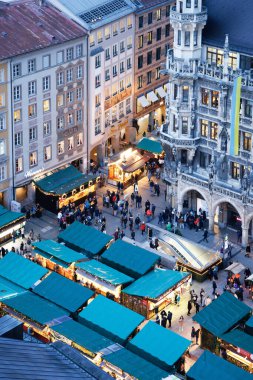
[[58, 251]]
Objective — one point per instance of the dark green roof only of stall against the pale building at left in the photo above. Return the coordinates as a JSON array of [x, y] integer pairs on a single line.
[[63, 181]]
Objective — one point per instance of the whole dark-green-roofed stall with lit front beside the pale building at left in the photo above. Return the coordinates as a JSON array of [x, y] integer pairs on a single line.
[[64, 186]]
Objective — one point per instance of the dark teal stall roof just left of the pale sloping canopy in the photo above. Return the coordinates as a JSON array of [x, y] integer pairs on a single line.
[[129, 259]]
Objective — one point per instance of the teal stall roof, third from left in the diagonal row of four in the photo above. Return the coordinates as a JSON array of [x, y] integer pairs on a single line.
[[110, 319]]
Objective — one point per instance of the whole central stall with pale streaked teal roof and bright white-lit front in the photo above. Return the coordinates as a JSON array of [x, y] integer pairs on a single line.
[[104, 279]]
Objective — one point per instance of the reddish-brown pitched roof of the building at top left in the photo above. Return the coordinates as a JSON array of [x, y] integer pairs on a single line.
[[38, 27]]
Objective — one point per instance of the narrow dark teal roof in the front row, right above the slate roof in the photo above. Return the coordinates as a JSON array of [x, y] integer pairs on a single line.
[[83, 336]]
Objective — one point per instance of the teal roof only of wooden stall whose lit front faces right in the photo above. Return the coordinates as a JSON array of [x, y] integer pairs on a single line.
[[155, 283]]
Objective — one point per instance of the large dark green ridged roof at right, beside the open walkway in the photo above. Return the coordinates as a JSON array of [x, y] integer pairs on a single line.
[[222, 314]]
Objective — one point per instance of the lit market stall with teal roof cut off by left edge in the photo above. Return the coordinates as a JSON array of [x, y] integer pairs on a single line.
[[9, 221]]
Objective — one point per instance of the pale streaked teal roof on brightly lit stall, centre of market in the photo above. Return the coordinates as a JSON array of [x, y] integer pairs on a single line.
[[104, 273]]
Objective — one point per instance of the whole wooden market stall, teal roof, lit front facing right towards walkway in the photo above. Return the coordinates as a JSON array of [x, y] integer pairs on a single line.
[[154, 291]]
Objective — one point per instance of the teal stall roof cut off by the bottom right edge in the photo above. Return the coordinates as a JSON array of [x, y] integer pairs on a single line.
[[214, 367]]
